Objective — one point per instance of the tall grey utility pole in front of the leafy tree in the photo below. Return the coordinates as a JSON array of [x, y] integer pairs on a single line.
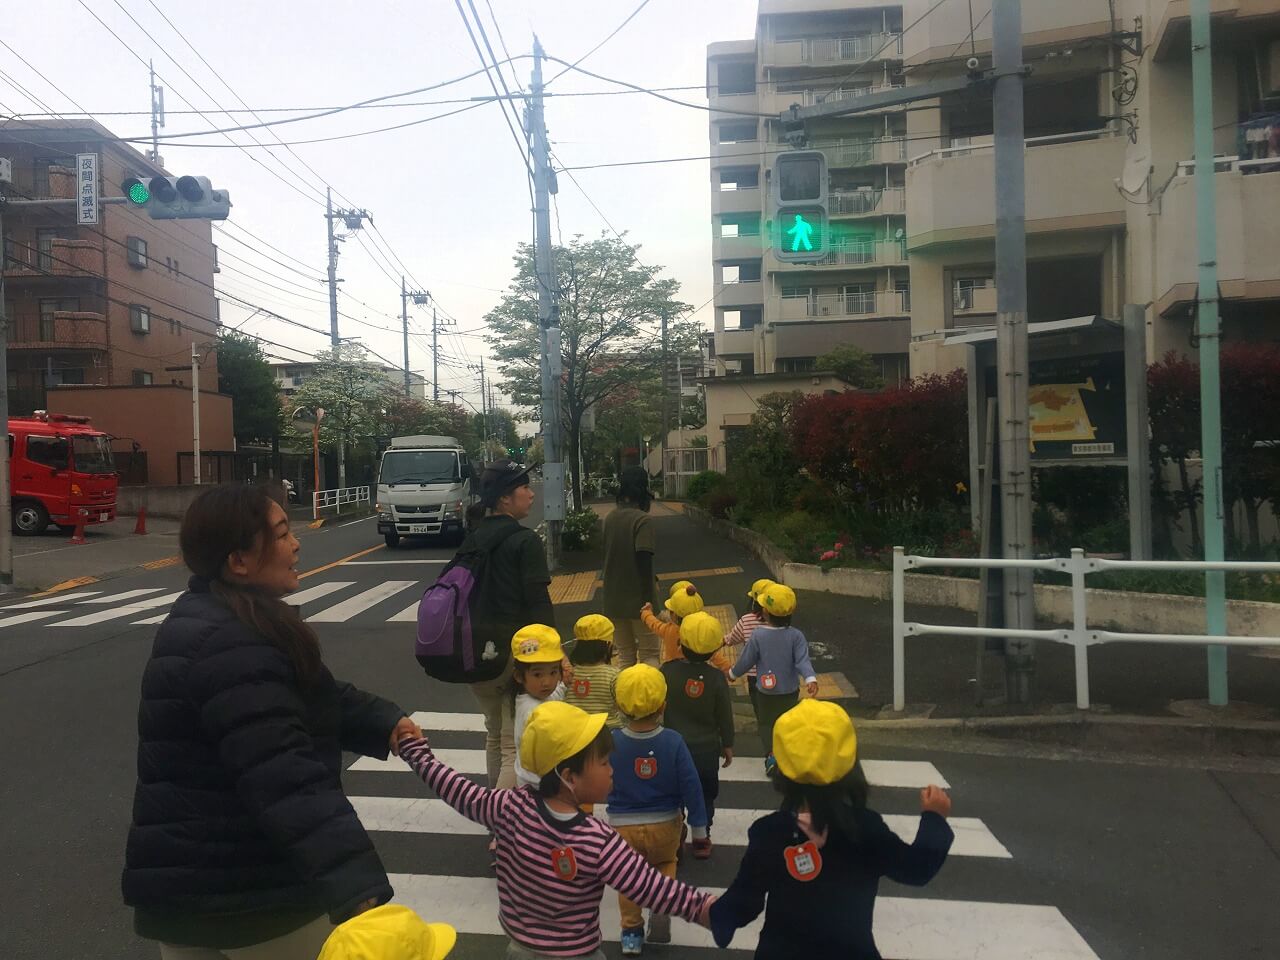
[[548, 317]]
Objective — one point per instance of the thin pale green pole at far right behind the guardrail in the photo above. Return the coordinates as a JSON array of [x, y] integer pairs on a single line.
[[1209, 331]]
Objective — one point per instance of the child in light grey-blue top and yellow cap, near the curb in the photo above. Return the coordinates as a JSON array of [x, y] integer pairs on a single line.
[[781, 656]]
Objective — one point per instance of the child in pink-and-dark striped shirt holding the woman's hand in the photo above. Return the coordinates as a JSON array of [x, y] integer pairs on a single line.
[[555, 861]]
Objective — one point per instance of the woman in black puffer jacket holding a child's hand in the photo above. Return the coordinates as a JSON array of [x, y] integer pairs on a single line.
[[241, 834]]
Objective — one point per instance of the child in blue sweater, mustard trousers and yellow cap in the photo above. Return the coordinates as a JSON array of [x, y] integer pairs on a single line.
[[655, 781]]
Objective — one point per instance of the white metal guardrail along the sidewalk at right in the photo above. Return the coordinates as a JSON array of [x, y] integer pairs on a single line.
[[1080, 636]]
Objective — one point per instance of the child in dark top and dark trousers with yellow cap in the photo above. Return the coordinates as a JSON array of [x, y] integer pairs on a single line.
[[700, 710]]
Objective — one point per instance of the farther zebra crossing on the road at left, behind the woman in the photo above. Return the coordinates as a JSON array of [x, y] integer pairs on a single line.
[[330, 602]]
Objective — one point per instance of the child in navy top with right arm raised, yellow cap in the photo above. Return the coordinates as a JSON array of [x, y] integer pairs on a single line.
[[816, 865]]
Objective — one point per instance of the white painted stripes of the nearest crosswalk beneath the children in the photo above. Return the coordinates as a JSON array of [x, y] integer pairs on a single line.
[[907, 927]]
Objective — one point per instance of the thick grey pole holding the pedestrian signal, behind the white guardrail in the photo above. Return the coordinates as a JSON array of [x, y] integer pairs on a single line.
[[1013, 365]]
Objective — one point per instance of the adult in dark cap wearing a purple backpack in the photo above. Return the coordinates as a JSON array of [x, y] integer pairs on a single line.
[[501, 573]]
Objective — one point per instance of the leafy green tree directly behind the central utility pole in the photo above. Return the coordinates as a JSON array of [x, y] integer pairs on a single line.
[[611, 307]]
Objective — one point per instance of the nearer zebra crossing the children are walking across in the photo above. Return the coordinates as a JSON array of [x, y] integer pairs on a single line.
[[437, 858]]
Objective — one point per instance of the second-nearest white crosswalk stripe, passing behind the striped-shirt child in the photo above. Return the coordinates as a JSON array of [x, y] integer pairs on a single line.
[[396, 815]]
